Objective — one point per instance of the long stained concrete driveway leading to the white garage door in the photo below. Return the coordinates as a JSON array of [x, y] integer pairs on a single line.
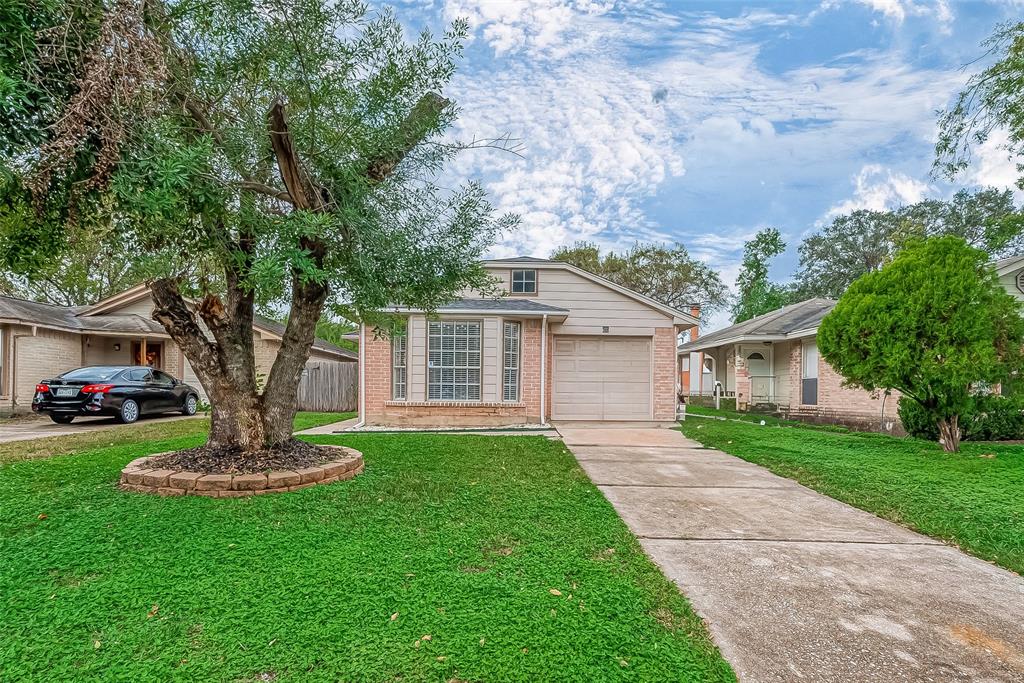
[[796, 586]]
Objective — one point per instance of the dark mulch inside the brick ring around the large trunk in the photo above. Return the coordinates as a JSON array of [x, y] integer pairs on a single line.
[[227, 460]]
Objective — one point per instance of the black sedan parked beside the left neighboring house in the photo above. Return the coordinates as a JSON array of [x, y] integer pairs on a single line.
[[123, 392]]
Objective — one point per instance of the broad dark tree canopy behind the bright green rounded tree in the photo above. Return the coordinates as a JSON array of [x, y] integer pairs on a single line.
[[865, 241]]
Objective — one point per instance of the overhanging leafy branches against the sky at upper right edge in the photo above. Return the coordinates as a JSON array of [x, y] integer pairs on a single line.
[[992, 102]]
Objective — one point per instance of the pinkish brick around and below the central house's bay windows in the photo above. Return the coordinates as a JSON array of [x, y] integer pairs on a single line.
[[380, 410]]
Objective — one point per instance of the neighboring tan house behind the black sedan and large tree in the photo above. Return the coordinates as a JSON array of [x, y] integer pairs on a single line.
[[40, 340]]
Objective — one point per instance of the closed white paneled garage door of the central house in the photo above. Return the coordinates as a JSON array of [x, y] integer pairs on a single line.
[[606, 378]]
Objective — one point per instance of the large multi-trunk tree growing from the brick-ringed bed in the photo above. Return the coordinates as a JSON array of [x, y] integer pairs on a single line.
[[251, 153]]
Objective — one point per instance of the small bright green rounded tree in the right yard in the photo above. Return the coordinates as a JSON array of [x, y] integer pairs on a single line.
[[933, 324]]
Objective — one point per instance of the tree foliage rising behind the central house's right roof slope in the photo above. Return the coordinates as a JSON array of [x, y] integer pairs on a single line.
[[667, 275]]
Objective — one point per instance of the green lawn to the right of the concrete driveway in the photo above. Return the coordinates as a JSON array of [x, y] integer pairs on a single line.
[[974, 499]]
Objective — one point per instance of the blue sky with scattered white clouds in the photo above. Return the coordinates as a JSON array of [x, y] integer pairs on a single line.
[[701, 123]]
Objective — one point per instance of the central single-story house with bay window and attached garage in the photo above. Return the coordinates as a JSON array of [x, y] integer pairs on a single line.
[[562, 345]]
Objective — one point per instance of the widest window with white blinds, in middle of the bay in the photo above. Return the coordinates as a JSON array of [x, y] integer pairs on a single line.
[[454, 361]]
